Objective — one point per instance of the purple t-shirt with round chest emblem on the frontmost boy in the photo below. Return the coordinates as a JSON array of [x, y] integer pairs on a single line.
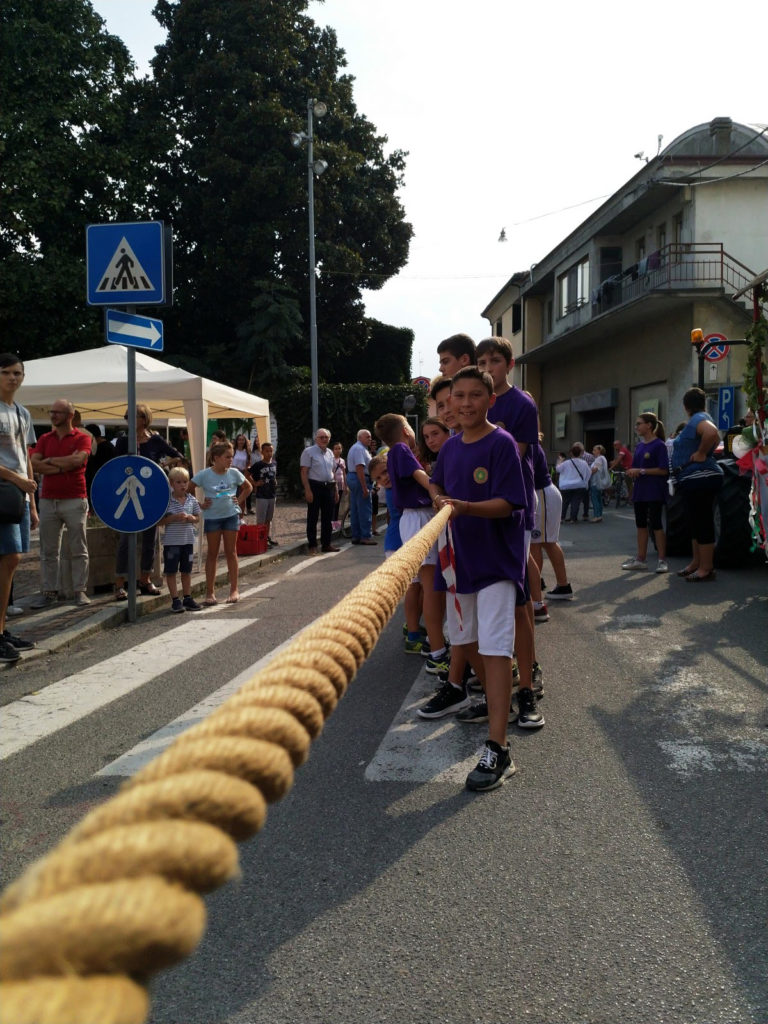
[[488, 551]]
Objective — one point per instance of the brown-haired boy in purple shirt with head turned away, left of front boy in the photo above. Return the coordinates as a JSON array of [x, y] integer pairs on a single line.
[[410, 487]]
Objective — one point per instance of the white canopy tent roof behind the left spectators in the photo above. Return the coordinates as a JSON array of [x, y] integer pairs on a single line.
[[96, 382]]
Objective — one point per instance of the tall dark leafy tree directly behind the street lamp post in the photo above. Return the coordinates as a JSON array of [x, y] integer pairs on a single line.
[[233, 81]]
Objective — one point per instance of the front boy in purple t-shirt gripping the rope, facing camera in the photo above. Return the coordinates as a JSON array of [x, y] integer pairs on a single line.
[[479, 475]]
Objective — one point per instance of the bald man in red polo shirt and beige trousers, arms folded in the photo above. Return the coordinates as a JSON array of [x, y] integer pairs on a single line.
[[60, 457]]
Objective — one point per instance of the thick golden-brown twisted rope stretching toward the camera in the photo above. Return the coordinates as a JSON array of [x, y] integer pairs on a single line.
[[119, 899]]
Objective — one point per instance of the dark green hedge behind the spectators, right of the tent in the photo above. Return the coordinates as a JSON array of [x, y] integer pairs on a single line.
[[344, 409]]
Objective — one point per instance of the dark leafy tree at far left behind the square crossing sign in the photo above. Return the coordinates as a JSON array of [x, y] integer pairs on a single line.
[[67, 158]]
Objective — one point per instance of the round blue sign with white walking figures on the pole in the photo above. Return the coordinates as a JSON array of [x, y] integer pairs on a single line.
[[131, 494]]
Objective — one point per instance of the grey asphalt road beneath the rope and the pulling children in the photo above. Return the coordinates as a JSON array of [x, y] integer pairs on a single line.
[[620, 876]]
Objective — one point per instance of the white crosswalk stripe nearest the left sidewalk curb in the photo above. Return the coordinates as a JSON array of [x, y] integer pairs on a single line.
[[39, 715]]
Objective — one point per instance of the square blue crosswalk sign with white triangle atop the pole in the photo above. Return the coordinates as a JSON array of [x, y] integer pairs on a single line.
[[126, 264]]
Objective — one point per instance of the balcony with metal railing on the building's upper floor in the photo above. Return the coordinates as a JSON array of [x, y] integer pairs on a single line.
[[676, 268]]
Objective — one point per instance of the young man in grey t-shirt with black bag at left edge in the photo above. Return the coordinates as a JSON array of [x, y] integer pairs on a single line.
[[17, 436]]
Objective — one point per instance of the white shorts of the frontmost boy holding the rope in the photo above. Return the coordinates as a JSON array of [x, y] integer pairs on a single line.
[[488, 619]]
